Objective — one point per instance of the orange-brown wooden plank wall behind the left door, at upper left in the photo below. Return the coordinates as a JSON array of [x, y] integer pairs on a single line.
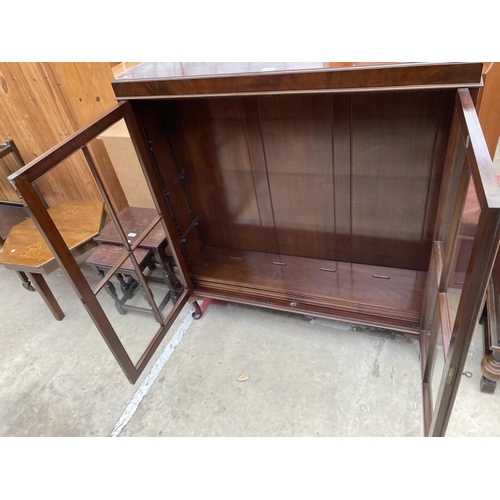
[[43, 103]]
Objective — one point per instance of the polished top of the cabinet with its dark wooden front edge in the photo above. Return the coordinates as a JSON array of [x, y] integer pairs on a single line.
[[161, 80]]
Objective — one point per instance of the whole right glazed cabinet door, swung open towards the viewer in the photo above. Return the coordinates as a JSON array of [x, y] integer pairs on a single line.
[[465, 247]]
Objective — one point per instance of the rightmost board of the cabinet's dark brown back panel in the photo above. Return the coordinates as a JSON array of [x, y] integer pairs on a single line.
[[393, 142]]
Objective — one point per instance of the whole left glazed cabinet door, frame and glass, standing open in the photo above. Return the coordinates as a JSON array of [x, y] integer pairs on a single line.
[[128, 264]]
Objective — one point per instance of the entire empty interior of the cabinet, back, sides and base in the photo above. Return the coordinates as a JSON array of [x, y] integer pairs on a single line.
[[316, 201]]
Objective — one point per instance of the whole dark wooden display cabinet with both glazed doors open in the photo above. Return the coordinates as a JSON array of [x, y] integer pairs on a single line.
[[329, 191]]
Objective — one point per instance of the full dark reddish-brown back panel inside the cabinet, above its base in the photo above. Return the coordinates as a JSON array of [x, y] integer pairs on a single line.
[[348, 177]]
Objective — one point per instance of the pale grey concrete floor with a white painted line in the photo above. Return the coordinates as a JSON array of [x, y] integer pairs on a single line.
[[307, 377]]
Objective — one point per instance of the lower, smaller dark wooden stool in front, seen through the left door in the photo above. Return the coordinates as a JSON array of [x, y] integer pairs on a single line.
[[106, 256]]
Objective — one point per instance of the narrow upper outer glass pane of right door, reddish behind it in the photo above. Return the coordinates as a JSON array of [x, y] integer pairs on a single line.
[[465, 239]]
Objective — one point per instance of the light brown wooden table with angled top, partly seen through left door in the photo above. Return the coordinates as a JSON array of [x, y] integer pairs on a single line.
[[25, 249]]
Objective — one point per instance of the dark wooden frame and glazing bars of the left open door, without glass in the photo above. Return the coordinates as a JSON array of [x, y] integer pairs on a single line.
[[22, 182]]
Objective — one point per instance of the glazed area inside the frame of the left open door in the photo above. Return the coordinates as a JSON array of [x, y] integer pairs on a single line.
[[101, 204]]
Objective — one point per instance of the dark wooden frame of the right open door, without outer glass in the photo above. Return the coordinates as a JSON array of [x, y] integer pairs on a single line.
[[478, 167]]
